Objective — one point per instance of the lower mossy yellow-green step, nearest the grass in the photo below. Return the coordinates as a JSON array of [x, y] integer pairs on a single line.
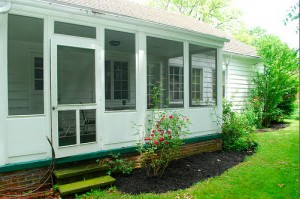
[[80, 186]]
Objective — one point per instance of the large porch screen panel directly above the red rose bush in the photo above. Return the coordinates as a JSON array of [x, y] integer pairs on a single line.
[[165, 71]]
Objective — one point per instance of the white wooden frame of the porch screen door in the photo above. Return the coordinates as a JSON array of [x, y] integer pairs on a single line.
[[76, 149]]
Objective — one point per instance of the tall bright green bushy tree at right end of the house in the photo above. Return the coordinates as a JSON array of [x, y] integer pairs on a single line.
[[277, 84]]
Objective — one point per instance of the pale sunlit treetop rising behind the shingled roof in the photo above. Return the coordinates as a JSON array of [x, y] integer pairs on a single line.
[[215, 12]]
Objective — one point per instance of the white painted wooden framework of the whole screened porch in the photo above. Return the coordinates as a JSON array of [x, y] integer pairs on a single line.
[[114, 129]]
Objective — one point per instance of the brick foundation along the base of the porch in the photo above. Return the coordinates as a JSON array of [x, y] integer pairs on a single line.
[[23, 178]]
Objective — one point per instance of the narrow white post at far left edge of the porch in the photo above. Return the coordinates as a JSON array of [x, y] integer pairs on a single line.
[[3, 87]]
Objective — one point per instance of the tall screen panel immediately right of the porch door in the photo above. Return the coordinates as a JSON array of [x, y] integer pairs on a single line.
[[120, 78]]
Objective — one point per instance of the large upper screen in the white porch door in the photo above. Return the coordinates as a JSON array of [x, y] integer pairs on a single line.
[[75, 75]]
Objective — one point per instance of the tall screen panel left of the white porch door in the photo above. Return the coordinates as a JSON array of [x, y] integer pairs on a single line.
[[25, 65]]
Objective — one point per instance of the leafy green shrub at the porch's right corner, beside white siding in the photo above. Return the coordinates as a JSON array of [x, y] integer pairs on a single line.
[[237, 129]]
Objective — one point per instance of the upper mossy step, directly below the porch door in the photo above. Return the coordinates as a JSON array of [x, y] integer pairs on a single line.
[[78, 171]]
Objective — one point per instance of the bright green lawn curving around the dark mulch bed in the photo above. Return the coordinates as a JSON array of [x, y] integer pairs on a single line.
[[273, 172]]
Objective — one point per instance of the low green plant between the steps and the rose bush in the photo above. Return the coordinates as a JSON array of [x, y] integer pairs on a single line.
[[116, 164]]
